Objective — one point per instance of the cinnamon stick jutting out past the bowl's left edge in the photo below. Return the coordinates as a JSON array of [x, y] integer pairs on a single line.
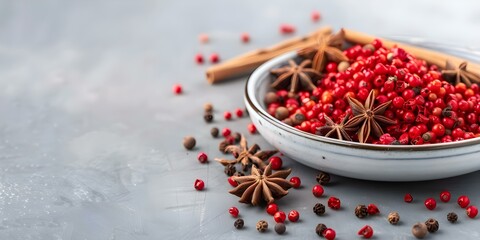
[[247, 62]]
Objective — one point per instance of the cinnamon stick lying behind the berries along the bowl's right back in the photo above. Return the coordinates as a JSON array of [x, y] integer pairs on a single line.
[[430, 56]]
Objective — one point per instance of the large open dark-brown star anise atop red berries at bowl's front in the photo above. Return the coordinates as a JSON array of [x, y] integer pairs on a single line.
[[368, 117]]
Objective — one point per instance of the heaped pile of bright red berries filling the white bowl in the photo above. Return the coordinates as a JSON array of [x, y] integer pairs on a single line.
[[427, 109]]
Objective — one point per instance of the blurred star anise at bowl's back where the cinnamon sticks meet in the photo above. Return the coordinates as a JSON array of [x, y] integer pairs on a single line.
[[328, 48]]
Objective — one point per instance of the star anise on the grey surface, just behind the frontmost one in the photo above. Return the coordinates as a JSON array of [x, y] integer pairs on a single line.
[[246, 156]]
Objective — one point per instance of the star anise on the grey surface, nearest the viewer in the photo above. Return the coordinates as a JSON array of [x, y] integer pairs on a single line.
[[267, 186]]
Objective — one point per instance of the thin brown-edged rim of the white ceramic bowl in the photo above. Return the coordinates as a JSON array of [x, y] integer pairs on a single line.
[[254, 103]]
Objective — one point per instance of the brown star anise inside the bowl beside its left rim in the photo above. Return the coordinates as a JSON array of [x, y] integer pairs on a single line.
[[295, 75]]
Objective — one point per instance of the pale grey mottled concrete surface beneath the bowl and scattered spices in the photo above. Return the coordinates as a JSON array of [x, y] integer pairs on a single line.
[[90, 132]]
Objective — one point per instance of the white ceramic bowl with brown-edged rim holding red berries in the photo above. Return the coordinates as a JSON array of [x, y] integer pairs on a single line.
[[353, 159]]
